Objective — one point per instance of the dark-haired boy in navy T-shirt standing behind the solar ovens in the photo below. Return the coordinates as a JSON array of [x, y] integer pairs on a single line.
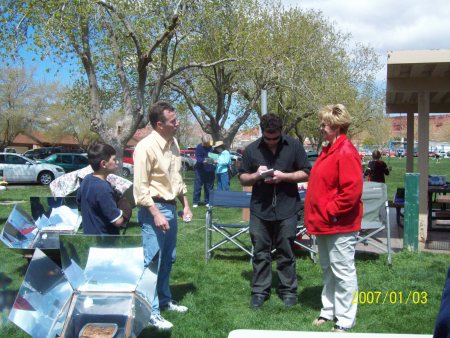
[[100, 212]]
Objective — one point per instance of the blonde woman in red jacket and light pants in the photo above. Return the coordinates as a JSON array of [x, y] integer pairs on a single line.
[[333, 212]]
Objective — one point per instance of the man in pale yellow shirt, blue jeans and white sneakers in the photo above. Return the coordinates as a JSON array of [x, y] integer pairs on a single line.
[[157, 184]]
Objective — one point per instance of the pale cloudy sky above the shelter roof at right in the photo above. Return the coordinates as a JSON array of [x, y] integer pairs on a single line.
[[387, 25]]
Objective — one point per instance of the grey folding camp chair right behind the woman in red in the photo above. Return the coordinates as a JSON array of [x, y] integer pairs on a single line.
[[375, 217]]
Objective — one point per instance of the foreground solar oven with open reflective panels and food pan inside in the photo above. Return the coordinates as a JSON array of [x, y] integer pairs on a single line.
[[106, 288]]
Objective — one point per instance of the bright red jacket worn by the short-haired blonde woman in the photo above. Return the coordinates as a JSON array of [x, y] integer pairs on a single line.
[[333, 200]]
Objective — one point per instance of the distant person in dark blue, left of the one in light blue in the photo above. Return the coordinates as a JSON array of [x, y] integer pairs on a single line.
[[204, 172]]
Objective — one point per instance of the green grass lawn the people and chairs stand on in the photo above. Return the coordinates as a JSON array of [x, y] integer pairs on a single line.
[[218, 293]]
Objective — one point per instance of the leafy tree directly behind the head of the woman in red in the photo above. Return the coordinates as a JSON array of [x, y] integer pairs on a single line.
[[319, 68]]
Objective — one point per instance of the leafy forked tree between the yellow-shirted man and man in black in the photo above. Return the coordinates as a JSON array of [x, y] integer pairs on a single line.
[[213, 94]]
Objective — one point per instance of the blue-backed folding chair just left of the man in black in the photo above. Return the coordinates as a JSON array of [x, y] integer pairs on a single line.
[[229, 232]]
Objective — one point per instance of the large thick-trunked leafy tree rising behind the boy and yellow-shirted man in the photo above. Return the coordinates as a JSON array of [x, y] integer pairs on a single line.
[[127, 48]]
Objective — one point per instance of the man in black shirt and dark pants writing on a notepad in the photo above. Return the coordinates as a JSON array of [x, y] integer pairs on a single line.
[[274, 206]]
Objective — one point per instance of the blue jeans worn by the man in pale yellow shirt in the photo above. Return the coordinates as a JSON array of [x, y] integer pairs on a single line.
[[157, 241]]
